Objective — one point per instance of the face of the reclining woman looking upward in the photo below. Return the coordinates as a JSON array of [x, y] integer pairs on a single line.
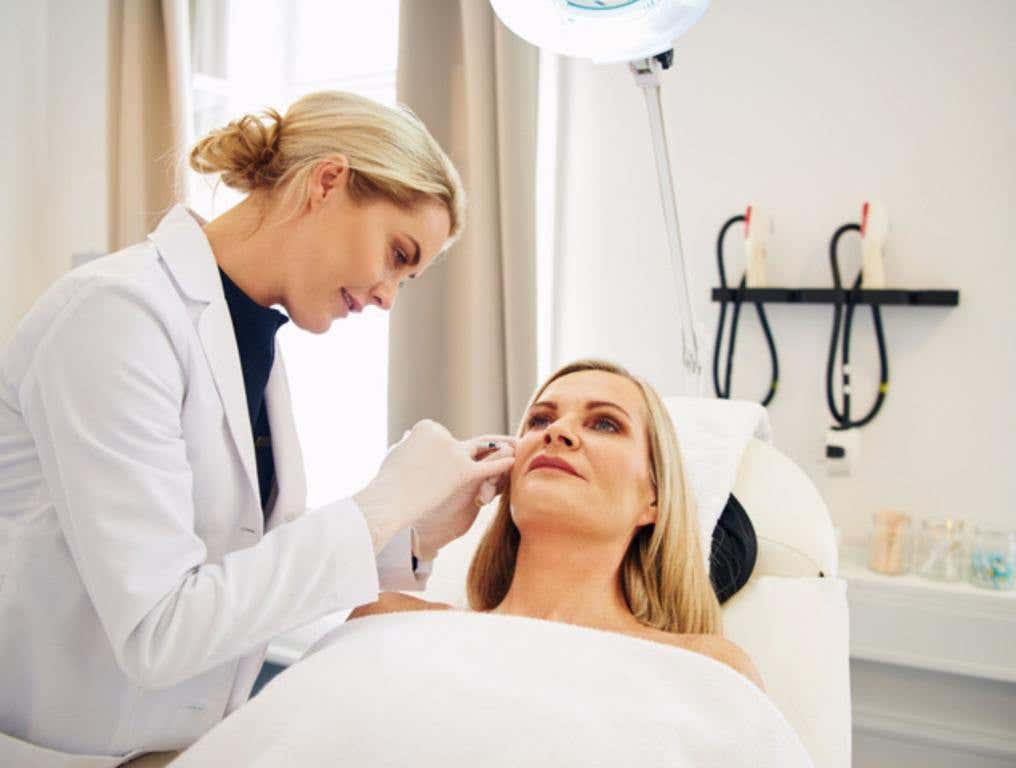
[[598, 423]]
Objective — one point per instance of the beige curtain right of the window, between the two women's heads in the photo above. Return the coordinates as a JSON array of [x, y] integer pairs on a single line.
[[464, 340]]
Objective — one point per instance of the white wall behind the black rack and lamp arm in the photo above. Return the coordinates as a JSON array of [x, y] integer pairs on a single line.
[[808, 108]]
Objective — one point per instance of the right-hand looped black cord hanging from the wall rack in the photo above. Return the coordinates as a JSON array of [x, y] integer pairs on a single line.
[[843, 418]]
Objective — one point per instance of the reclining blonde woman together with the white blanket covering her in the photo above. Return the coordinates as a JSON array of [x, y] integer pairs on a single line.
[[597, 537]]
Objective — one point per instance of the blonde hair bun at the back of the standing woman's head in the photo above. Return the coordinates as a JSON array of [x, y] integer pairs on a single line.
[[243, 152]]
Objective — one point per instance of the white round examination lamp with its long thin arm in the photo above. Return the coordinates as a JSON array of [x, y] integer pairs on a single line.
[[642, 33]]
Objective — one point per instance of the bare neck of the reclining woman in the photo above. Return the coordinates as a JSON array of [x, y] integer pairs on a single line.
[[560, 580]]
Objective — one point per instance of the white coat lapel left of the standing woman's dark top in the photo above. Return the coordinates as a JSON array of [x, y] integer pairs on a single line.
[[188, 258]]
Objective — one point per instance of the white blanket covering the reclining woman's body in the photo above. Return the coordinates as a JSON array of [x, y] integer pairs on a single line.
[[442, 689]]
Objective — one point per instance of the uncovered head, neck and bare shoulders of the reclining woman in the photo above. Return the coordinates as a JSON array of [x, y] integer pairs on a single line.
[[597, 527]]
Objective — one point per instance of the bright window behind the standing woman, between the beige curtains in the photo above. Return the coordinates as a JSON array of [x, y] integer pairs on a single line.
[[255, 54]]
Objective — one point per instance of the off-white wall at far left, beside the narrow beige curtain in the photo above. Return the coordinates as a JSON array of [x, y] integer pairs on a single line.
[[54, 70]]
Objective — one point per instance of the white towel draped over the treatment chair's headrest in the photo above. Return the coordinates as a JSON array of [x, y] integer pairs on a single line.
[[714, 435]]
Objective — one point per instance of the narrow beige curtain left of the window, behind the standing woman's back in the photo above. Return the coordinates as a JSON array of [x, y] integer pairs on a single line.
[[150, 113]]
